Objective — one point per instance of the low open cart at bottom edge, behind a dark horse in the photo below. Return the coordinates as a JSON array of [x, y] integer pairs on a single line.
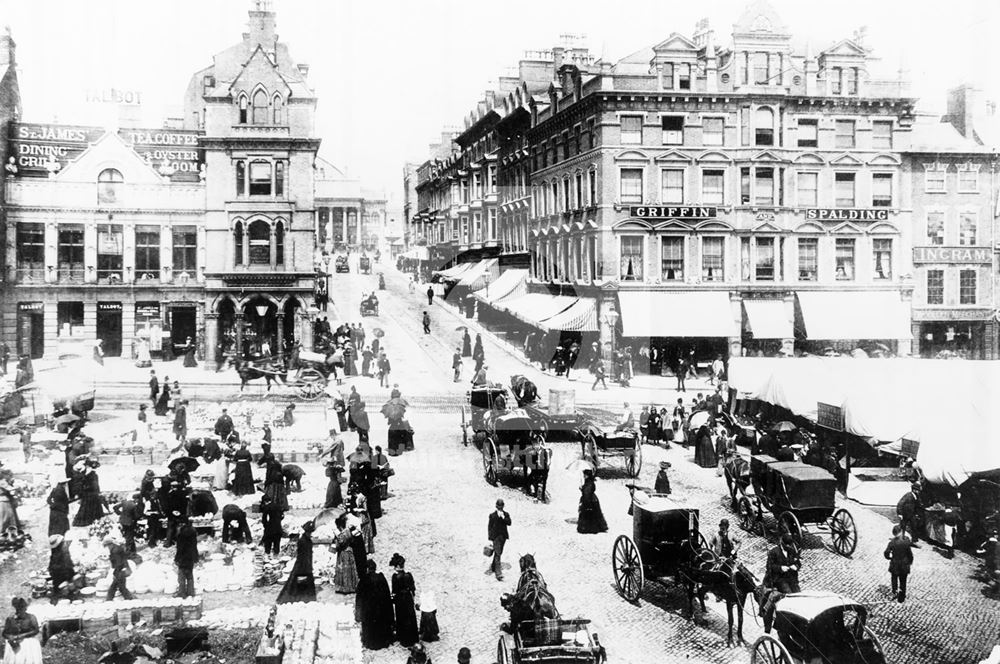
[[550, 641]]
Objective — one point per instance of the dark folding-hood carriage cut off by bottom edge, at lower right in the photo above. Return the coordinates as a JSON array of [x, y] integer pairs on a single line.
[[819, 628]]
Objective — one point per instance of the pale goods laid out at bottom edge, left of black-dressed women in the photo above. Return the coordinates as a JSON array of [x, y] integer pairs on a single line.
[[311, 636]]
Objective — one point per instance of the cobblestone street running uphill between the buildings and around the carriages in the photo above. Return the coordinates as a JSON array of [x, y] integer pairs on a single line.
[[438, 513]]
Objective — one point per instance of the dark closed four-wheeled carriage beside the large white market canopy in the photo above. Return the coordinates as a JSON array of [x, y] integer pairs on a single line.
[[796, 494]]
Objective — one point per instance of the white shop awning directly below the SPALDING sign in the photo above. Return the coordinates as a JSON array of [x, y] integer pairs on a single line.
[[846, 315]]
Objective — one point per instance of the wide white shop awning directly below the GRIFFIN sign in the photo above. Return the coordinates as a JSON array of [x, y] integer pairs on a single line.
[[687, 314]]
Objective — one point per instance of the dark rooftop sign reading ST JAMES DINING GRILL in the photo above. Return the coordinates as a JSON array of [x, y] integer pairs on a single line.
[[43, 149]]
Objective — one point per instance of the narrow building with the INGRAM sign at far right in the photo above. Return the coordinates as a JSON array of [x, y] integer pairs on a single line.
[[952, 167]]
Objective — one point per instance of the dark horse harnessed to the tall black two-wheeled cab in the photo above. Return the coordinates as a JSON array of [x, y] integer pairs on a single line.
[[729, 580]]
